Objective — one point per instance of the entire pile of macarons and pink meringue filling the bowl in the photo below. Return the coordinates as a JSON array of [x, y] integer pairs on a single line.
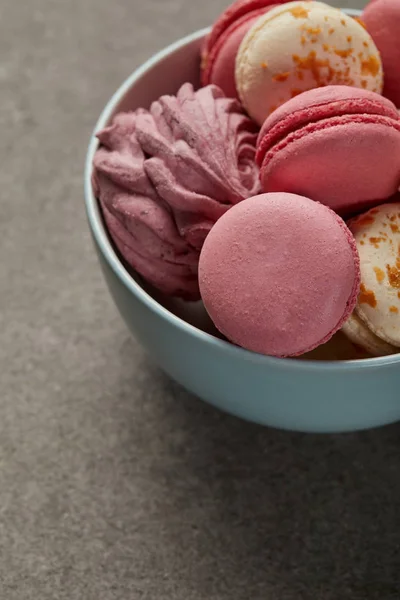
[[272, 192]]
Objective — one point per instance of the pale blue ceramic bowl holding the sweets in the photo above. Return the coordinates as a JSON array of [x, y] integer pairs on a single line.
[[303, 395]]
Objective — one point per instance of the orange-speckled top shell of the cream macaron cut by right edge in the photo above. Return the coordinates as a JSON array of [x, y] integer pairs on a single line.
[[377, 235]]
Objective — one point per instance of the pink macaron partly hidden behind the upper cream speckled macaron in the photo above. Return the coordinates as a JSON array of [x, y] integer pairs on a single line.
[[223, 42]]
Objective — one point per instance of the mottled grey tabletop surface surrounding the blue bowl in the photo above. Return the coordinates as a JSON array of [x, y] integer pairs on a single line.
[[115, 483]]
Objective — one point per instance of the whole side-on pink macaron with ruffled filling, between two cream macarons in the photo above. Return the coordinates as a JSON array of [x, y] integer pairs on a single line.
[[337, 144]]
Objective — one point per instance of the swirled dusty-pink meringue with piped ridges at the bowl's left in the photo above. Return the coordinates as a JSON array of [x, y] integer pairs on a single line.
[[165, 176]]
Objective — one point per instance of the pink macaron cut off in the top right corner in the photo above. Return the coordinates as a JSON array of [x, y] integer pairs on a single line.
[[382, 20]]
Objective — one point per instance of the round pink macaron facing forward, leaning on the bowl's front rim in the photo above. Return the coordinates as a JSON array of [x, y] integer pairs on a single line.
[[279, 274]]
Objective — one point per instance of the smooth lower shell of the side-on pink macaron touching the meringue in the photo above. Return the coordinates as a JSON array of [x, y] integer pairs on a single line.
[[336, 162]]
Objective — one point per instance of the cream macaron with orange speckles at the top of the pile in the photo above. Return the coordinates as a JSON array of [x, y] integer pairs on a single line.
[[299, 46]]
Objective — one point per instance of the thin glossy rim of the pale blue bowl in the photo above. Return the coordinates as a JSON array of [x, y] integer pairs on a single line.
[[104, 244]]
